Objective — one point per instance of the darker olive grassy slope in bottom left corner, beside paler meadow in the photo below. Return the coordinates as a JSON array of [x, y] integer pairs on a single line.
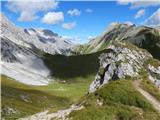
[[26, 100]]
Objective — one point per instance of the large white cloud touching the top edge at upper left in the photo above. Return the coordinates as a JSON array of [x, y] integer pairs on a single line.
[[28, 9]]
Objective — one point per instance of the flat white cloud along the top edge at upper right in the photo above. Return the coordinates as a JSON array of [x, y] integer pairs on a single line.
[[139, 3]]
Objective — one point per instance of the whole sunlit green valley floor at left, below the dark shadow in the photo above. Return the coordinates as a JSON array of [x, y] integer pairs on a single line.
[[27, 100]]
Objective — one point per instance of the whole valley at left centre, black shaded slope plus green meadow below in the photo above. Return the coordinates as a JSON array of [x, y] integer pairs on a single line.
[[72, 77]]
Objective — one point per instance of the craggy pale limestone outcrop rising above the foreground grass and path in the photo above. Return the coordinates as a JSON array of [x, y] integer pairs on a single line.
[[123, 60]]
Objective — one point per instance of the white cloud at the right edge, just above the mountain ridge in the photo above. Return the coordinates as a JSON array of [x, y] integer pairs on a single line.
[[154, 19]]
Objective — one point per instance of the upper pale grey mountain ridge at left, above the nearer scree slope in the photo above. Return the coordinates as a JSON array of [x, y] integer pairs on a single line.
[[41, 39]]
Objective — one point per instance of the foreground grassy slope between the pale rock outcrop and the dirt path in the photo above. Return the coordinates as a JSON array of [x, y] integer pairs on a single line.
[[120, 102]]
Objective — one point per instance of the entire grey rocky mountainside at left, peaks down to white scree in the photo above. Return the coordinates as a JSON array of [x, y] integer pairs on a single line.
[[22, 51]]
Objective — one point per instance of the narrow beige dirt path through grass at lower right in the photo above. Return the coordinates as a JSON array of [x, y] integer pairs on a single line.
[[148, 96]]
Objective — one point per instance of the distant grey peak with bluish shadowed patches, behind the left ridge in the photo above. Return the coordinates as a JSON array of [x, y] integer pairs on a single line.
[[51, 42]]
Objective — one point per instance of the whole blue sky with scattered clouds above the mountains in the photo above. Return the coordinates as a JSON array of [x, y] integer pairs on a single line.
[[84, 19]]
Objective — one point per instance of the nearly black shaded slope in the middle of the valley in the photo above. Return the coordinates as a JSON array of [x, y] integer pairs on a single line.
[[73, 66]]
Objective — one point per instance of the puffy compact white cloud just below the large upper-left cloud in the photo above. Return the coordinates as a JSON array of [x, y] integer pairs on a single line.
[[53, 18]]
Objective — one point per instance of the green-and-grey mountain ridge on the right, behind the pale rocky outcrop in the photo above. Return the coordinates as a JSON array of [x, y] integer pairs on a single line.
[[141, 36]]
